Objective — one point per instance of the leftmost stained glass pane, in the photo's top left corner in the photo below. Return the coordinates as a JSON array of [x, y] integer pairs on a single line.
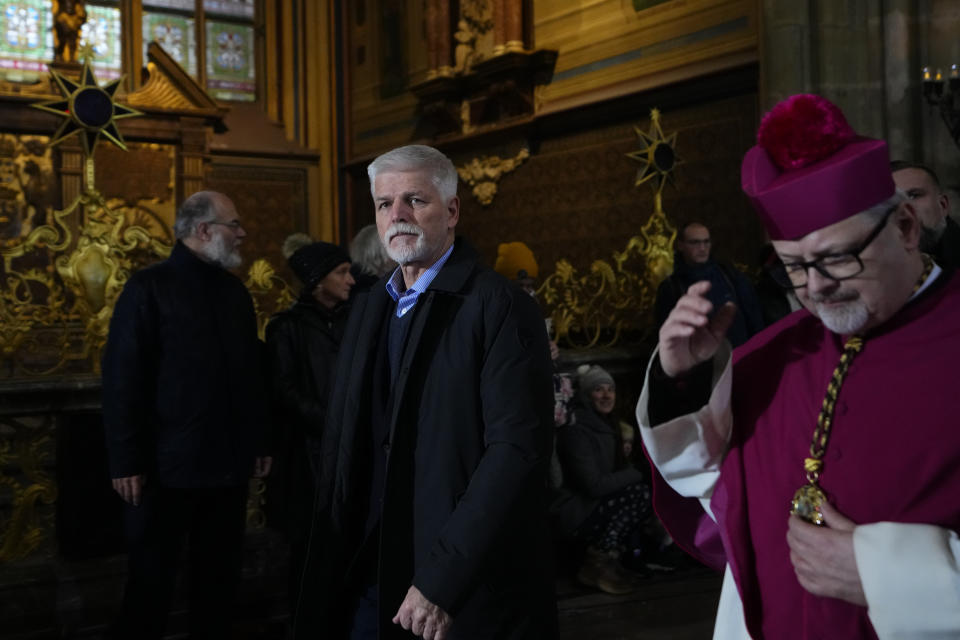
[[26, 39]]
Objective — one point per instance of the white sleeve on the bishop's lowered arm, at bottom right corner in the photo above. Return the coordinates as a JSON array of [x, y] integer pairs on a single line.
[[911, 579]]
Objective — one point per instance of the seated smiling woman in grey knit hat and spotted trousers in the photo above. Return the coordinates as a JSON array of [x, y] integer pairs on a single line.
[[608, 499]]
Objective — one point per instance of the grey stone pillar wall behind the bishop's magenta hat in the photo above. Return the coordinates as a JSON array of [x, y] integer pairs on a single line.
[[867, 56]]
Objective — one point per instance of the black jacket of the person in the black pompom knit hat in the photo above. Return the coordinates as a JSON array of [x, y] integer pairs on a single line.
[[302, 346]]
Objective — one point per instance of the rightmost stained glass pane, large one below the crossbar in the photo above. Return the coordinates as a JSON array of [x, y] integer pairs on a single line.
[[231, 68]]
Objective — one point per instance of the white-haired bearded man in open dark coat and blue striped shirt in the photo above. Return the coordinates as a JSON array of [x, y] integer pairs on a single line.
[[430, 516]]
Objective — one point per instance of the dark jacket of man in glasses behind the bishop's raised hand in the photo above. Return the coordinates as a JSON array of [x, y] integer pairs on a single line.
[[727, 285]]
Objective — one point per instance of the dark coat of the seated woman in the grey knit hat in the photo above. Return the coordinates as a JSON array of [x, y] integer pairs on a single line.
[[591, 455]]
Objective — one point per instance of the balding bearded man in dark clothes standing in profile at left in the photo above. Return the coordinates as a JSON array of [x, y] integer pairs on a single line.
[[185, 420]]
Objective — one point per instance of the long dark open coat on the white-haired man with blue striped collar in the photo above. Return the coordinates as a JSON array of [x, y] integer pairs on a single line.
[[470, 423]]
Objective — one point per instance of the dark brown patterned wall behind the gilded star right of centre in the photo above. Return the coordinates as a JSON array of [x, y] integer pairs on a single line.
[[574, 198]]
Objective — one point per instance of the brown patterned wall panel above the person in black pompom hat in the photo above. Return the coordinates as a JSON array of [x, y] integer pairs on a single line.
[[271, 203]]
